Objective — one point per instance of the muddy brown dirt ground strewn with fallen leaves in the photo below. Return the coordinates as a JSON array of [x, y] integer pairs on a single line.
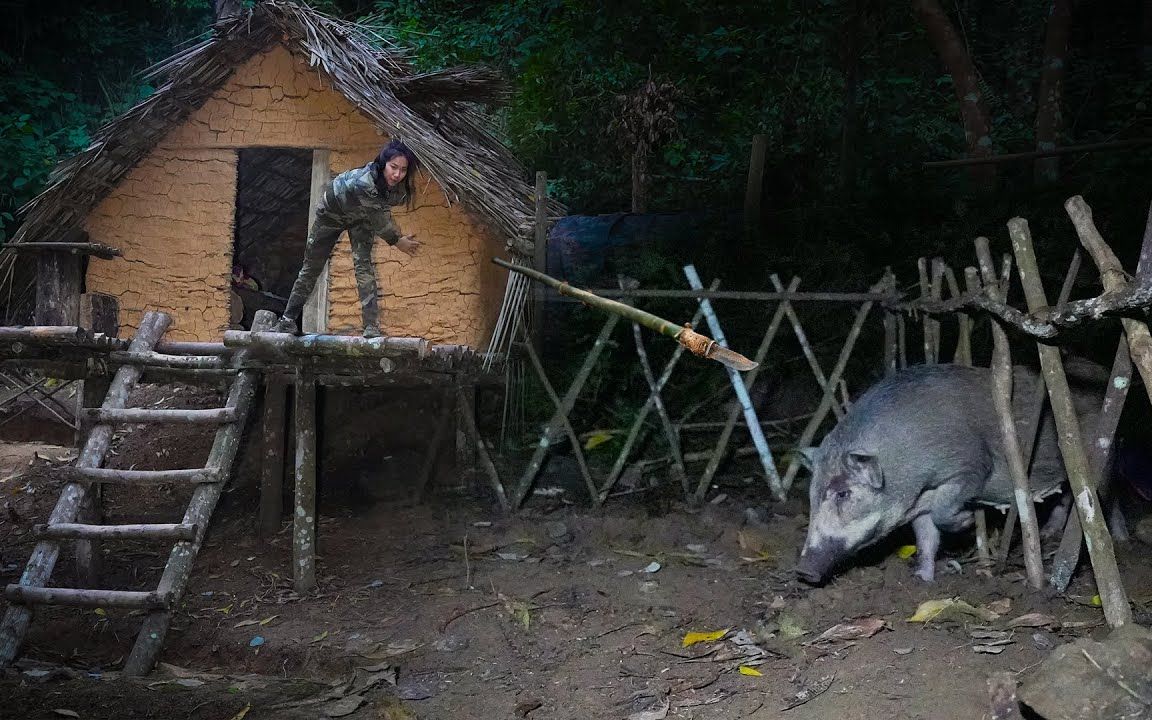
[[449, 610]]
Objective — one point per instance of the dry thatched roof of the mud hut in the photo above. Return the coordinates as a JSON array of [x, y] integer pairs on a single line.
[[435, 113]]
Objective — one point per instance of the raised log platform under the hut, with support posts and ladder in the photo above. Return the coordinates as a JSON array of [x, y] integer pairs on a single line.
[[245, 361]]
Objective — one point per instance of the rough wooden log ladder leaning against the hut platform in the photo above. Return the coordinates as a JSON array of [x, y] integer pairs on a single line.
[[187, 535]]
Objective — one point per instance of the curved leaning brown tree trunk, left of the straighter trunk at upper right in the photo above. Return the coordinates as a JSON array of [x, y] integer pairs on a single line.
[[959, 64]]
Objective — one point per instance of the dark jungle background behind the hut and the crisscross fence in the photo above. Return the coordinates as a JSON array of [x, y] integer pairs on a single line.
[[853, 97]]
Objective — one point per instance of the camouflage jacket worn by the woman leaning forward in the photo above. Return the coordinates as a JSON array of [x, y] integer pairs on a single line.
[[353, 200]]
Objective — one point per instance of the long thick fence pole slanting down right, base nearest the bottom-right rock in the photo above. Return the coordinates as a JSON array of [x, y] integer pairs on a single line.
[[1111, 588]]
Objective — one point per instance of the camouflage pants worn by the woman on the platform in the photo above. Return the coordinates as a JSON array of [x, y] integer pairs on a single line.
[[321, 242]]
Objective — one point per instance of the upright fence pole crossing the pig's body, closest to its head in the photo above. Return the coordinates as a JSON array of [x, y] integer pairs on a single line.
[[1003, 399]]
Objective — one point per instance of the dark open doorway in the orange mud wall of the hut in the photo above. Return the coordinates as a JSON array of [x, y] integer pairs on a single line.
[[272, 198]]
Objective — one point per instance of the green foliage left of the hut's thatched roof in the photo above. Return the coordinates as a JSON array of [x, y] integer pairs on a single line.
[[66, 74]]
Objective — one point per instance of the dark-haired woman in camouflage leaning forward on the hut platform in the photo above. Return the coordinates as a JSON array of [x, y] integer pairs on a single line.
[[359, 201]]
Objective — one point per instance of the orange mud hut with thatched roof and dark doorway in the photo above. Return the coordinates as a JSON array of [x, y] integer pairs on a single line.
[[207, 188]]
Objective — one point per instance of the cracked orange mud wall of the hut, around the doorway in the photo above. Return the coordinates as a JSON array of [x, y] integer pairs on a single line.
[[173, 218]]
